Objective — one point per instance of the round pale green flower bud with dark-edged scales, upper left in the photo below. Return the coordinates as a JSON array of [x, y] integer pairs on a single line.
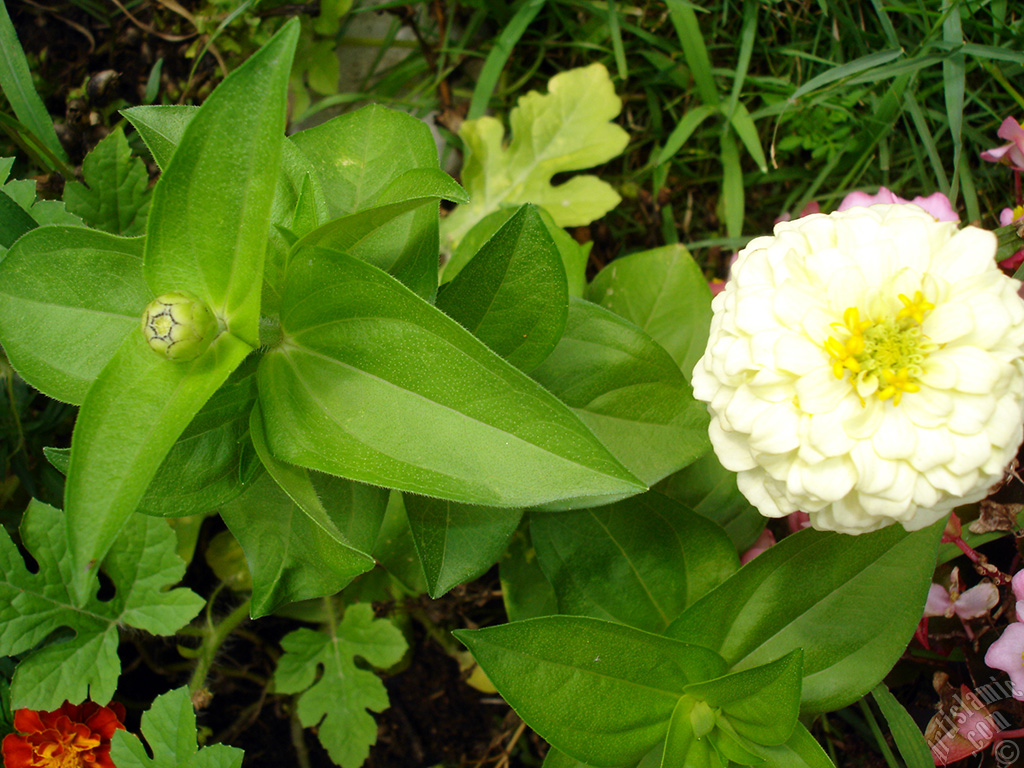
[[179, 326]]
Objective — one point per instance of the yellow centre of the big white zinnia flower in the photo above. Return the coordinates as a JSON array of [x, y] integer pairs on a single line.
[[883, 357]]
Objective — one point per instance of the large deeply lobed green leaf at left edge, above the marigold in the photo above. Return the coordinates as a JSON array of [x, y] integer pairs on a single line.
[[34, 606]]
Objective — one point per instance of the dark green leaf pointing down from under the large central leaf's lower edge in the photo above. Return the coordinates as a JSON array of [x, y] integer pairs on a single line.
[[457, 542]]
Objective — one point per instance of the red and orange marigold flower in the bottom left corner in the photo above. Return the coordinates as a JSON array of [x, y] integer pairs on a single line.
[[73, 737]]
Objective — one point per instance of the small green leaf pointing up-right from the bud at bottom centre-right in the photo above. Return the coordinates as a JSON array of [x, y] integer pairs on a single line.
[[761, 704]]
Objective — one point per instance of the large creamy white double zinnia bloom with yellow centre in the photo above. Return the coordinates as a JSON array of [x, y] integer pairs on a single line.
[[866, 367]]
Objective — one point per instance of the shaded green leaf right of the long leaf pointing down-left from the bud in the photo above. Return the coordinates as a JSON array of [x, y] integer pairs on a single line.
[[203, 471]]
